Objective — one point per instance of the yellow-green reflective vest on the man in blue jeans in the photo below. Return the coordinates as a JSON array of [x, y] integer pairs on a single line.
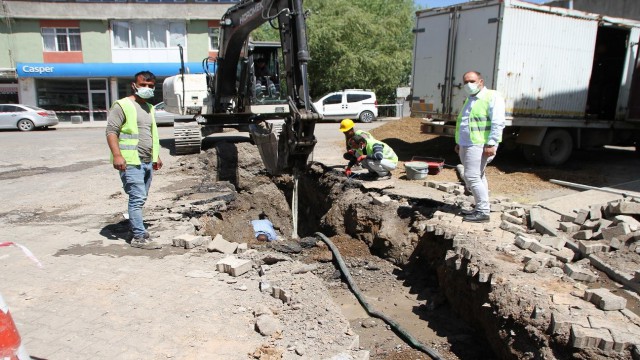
[[128, 139]]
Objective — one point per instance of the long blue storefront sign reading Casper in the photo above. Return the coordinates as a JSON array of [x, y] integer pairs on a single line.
[[60, 70]]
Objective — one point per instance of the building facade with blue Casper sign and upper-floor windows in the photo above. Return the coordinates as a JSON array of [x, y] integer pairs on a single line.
[[77, 57]]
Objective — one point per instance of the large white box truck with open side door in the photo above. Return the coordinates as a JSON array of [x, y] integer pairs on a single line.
[[570, 79]]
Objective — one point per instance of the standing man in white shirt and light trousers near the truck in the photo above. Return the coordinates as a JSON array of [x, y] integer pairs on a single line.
[[478, 132]]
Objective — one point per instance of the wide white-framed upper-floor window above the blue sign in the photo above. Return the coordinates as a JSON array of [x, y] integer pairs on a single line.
[[148, 34]]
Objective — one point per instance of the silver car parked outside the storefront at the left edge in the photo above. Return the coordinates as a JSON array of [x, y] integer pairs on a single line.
[[26, 117]]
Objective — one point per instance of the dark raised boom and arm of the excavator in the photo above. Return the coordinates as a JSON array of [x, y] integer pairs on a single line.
[[296, 141]]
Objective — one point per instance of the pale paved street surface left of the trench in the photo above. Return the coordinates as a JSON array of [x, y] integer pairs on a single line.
[[96, 297]]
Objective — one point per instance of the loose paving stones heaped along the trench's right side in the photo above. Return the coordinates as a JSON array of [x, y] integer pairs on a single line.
[[590, 319]]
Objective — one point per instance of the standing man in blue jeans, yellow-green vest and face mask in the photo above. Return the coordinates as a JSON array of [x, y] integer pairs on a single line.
[[132, 136]]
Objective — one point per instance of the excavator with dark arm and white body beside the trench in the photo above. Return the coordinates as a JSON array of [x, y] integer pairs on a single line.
[[274, 106]]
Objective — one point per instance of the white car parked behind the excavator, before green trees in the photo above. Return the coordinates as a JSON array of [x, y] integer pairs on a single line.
[[357, 104]]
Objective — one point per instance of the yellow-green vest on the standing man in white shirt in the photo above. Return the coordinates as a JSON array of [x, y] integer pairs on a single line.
[[479, 122]]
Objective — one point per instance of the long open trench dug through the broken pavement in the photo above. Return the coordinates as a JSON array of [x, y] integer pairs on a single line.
[[451, 308]]
